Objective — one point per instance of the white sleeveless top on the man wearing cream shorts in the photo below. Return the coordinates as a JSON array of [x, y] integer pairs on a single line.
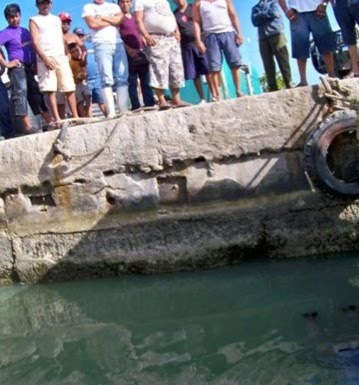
[[51, 39]]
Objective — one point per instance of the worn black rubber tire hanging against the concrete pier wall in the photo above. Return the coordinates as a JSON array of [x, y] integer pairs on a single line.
[[315, 154]]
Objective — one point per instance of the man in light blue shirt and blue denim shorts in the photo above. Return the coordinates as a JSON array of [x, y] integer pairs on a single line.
[[305, 17]]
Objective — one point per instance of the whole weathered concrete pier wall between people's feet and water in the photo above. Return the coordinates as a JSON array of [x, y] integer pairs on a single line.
[[195, 187]]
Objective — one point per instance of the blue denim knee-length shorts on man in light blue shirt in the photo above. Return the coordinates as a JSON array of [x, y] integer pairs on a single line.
[[321, 30]]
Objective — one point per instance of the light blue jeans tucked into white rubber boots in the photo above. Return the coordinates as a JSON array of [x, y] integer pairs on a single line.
[[112, 64]]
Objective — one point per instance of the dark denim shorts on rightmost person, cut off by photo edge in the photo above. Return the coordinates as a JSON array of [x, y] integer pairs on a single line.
[[347, 15]]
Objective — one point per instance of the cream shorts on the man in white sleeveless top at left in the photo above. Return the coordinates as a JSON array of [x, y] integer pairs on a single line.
[[59, 79]]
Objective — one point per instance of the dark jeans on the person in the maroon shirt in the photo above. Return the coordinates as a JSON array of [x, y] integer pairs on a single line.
[[147, 91]]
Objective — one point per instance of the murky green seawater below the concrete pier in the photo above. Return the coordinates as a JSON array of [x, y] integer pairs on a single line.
[[239, 325]]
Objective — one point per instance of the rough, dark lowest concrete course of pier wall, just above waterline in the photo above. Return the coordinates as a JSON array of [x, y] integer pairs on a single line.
[[178, 243]]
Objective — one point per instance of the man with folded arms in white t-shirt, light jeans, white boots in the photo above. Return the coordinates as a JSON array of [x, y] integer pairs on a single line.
[[104, 19]]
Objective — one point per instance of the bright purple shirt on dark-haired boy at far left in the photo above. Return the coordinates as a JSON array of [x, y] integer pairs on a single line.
[[17, 41]]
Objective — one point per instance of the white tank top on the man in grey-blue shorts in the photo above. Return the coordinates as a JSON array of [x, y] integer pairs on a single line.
[[214, 16]]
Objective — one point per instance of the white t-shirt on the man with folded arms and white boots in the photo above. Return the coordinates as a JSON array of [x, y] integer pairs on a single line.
[[109, 34]]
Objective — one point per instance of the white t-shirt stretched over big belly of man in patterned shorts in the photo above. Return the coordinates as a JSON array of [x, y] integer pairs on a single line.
[[157, 15]]
